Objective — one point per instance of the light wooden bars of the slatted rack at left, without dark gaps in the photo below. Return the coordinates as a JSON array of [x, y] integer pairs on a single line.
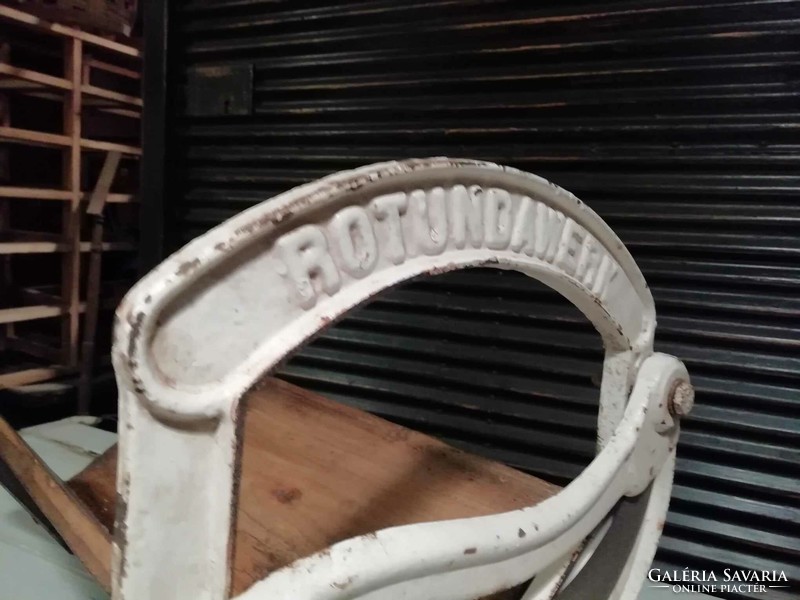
[[78, 86]]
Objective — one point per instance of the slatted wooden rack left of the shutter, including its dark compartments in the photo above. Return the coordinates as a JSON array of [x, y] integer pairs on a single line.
[[86, 88]]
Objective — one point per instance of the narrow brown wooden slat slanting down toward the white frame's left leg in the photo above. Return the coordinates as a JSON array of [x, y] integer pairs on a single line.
[[76, 525]]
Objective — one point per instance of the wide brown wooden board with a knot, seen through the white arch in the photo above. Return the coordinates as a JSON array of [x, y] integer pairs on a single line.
[[315, 472]]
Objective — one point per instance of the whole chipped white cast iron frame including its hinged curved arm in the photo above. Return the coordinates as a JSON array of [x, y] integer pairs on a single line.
[[197, 332]]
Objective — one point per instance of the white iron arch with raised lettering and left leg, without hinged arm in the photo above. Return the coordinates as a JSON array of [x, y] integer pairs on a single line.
[[271, 277]]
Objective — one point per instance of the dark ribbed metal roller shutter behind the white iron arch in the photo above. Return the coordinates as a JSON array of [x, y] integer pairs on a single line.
[[676, 121]]
